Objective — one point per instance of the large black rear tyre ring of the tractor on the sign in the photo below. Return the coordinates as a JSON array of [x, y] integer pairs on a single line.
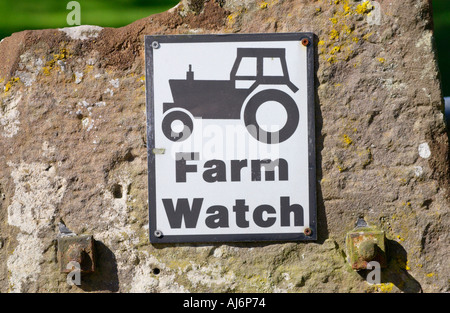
[[284, 132]]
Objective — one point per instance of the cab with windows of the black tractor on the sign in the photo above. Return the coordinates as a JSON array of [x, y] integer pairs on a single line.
[[256, 66]]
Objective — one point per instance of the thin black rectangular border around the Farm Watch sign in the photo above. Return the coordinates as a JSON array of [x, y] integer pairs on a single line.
[[151, 137]]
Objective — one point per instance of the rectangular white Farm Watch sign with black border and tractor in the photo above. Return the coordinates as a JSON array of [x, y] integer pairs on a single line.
[[230, 122]]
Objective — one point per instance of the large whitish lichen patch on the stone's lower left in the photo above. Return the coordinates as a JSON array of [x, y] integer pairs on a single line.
[[38, 191]]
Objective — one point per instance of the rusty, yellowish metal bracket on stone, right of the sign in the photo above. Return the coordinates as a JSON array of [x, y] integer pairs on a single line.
[[365, 244]]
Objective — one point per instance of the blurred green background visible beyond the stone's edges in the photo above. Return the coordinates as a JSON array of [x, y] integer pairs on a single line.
[[17, 15]]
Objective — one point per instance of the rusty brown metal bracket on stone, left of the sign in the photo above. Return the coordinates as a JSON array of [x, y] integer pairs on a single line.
[[79, 249]]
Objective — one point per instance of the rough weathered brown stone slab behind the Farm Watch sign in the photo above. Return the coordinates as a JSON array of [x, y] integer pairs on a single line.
[[73, 147]]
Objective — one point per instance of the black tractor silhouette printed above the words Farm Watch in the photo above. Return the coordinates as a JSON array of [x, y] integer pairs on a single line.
[[225, 101]]
